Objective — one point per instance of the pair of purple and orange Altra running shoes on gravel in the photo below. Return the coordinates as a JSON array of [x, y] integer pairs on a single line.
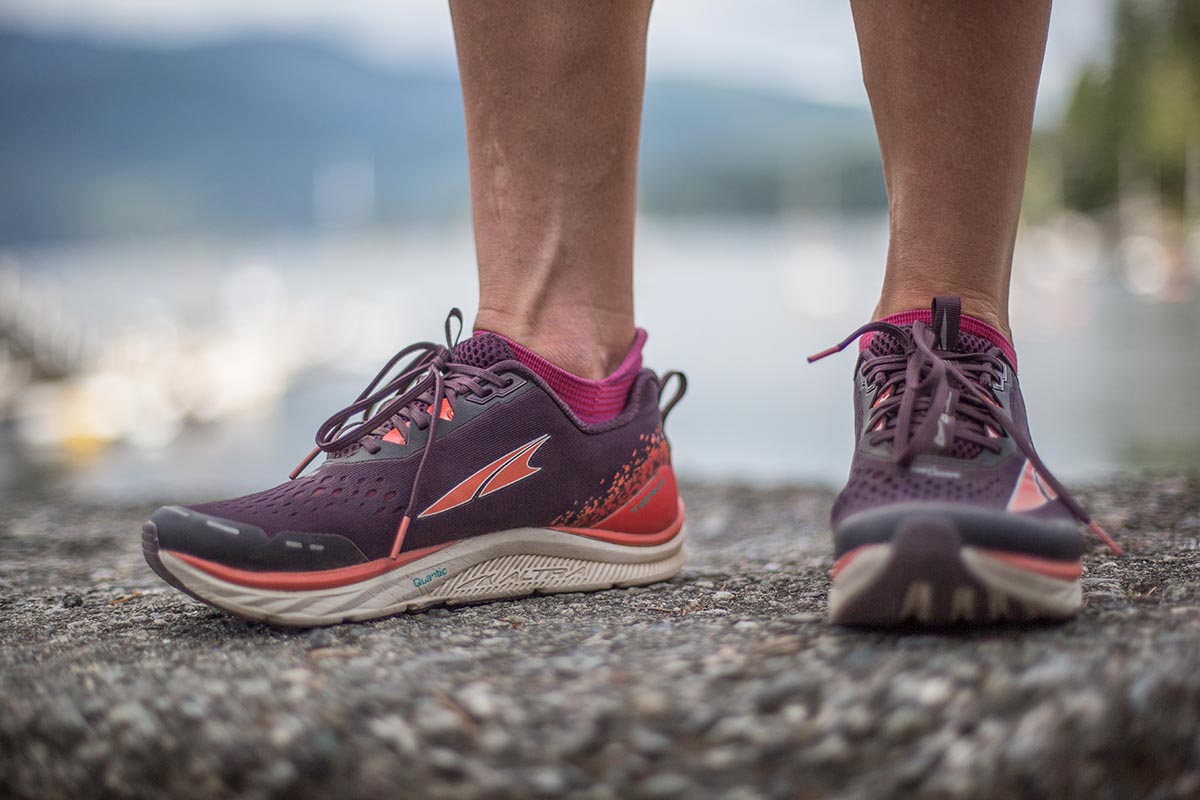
[[465, 479]]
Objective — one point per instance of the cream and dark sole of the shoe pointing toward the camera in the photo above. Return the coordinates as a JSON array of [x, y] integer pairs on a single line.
[[927, 576]]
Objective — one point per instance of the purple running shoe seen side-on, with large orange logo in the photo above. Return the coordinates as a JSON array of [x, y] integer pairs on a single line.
[[463, 479]]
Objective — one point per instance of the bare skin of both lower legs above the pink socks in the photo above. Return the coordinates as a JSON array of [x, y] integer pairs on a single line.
[[554, 91]]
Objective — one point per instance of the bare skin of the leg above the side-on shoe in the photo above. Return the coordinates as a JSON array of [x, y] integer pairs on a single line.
[[554, 100]]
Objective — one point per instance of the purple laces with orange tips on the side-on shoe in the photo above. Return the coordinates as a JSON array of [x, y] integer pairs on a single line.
[[416, 396]]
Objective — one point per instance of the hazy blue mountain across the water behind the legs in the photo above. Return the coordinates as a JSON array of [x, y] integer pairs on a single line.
[[98, 141]]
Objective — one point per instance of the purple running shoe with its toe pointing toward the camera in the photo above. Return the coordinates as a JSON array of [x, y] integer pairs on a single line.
[[950, 516]]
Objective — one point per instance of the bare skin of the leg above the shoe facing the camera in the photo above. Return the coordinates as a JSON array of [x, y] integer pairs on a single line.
[[952, 88]]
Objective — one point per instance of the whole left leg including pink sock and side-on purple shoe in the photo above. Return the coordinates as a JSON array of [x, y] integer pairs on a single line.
[[395, 519]]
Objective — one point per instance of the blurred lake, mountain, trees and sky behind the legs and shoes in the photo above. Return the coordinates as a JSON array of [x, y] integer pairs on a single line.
[[219, 219]]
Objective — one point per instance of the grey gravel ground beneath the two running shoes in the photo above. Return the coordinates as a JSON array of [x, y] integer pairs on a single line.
[[727, 682]]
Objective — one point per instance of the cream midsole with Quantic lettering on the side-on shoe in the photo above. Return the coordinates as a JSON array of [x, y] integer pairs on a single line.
[[506, 564]]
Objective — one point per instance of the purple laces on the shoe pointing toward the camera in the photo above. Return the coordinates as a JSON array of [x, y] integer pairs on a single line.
[[929, 398]]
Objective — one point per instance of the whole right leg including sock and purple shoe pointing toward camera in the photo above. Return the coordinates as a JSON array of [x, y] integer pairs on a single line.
[[950, 516]]
